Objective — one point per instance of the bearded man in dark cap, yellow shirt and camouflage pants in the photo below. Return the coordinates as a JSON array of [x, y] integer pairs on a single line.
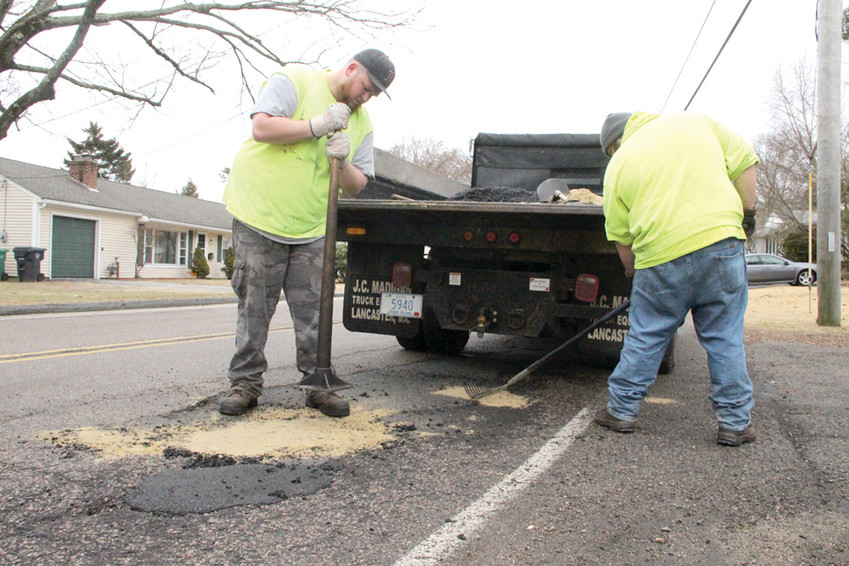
[[277, 192]]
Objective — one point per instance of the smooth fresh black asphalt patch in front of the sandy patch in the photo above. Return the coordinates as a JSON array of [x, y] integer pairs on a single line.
[[202, 490]]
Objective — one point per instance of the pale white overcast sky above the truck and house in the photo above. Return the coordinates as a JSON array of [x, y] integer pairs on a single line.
[[541, 66]]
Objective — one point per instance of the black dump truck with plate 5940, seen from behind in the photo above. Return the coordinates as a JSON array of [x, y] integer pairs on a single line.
[[434, 273]]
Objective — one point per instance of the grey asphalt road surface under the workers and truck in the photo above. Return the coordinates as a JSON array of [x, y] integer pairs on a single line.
[[531, 481]]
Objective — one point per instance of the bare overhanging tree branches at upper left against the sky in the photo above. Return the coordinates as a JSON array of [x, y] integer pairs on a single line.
[[186, 38]]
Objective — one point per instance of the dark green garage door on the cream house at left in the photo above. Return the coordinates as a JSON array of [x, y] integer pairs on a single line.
[[72, 251]]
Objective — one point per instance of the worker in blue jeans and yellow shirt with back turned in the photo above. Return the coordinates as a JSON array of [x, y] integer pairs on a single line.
[[679, 199]]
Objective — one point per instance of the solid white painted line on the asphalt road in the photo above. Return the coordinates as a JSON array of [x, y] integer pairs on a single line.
[[442, 543]]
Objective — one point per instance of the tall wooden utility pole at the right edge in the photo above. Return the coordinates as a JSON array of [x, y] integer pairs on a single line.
[[828, 161]]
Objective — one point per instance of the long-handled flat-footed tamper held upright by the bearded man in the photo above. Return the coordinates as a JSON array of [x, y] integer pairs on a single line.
[[324, 377]]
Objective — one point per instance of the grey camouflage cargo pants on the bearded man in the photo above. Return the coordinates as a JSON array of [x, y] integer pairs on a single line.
[[262, 268]]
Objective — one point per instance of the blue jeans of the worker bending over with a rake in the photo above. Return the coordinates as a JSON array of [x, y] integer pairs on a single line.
[[710, 282]]
